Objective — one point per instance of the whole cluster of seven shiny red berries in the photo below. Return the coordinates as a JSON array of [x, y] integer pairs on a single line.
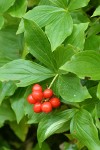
[[44, 101]]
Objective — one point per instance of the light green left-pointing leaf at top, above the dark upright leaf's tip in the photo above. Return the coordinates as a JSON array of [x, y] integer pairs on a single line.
[[43, 15]]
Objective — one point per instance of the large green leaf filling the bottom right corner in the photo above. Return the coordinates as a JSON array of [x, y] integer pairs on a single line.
[[83, 129]]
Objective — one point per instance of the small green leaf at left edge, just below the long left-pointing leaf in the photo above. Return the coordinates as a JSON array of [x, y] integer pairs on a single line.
[[6, 89]]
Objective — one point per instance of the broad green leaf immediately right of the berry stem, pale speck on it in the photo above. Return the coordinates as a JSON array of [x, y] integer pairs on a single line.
[[71, 89]]
